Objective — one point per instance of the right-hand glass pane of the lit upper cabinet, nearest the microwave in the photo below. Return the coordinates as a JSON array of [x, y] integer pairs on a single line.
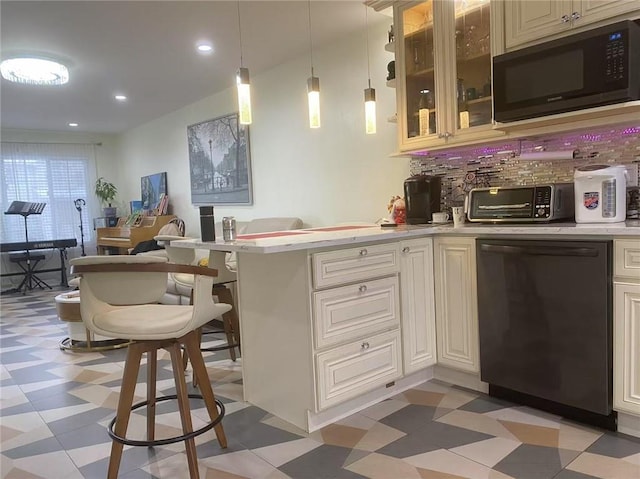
[[473, 63]]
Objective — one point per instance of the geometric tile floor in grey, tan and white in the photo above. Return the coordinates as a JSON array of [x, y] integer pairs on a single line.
[[55, 405]]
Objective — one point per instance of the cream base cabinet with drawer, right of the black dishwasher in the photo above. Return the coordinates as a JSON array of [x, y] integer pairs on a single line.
[[626, 327]]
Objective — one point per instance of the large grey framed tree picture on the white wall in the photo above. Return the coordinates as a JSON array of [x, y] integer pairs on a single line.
[[219, 162]]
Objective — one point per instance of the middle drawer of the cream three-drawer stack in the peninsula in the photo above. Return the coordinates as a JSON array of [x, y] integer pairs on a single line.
[[348, 312]]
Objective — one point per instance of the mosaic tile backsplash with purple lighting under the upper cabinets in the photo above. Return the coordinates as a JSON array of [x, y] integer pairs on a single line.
[[499, 164]]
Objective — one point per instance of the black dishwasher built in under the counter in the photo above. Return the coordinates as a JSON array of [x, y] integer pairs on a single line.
[[545, 319]]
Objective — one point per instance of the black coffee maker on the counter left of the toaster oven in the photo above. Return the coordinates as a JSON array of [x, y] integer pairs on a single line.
[[422, 198]]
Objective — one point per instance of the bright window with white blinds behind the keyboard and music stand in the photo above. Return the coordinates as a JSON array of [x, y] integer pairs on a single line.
[[55, 174]]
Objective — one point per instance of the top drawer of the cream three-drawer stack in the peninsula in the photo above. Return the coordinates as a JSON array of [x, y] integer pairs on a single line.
[[354, 264]]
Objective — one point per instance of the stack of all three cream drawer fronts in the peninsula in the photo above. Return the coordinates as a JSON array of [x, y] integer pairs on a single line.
[[356, 321]]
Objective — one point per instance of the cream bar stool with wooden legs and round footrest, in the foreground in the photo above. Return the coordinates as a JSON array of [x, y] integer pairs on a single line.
[[118, 298]]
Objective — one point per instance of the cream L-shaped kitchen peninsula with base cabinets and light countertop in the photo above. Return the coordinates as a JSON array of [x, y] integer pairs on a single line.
[[338, 318]]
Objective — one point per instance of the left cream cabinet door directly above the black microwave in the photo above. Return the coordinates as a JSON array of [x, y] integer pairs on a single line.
[[531, 20]]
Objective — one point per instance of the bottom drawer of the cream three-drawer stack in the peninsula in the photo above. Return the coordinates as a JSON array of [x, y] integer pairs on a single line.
[[348, 371]]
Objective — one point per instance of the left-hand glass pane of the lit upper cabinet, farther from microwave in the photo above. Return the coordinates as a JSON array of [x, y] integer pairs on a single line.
[[420, 94]]
